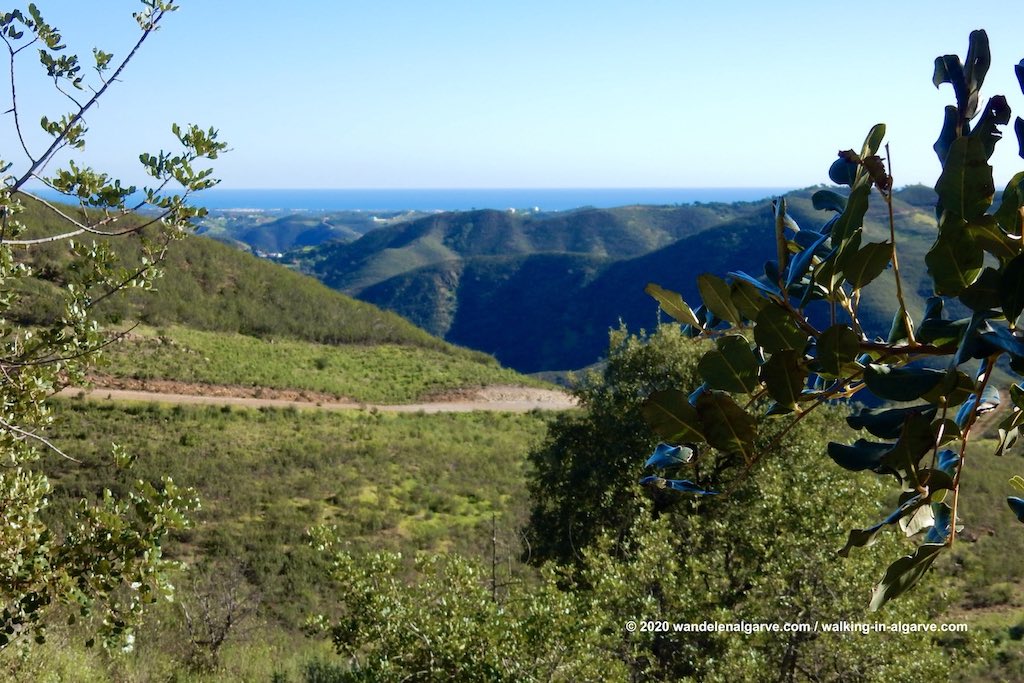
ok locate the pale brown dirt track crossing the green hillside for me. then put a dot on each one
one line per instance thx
(504, 399)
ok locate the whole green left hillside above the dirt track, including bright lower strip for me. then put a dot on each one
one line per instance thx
(220, 316)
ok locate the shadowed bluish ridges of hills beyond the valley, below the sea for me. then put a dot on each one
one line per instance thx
(541, 294)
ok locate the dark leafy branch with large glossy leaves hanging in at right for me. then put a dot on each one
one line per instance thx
(774, 356)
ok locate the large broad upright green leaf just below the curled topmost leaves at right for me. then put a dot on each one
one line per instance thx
(966, 187)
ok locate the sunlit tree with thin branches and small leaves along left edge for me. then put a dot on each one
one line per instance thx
(104, 563)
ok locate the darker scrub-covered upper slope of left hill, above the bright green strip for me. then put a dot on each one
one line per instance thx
(210, 286)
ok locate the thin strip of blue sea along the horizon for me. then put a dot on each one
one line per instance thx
(463, 200)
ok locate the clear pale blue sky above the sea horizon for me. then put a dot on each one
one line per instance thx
(567, 94)
